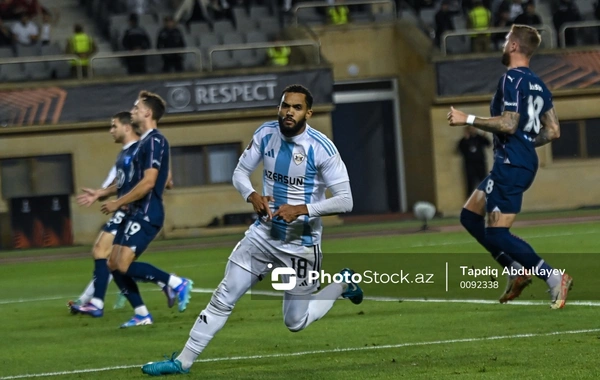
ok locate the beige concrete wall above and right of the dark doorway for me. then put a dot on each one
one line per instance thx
(392, 50)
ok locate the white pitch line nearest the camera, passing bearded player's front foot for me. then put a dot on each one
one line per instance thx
(315, 352)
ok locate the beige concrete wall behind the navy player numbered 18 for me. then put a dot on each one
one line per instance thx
(559, 184)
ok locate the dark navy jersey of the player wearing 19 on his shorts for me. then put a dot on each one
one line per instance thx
(152, 153)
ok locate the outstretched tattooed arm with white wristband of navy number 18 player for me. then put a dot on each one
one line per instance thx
(506, 123)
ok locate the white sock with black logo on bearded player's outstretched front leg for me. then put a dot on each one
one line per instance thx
(205, 328)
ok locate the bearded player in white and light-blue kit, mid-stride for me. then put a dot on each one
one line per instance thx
(300, 163)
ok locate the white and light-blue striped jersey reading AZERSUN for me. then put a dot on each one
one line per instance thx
(297, 170)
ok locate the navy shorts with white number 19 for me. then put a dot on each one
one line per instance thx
(136, 234)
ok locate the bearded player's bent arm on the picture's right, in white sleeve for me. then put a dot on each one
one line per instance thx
(335, 176)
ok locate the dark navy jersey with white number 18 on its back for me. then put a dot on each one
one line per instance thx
(521, 91)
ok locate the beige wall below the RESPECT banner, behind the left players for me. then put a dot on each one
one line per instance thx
(93, 153)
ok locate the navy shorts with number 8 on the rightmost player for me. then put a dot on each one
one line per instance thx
(504, 188)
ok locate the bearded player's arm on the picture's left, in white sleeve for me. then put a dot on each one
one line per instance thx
(248, 162)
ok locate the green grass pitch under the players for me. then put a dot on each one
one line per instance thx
(431, 333)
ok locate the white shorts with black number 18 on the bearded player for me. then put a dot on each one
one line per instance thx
(260, 256)
